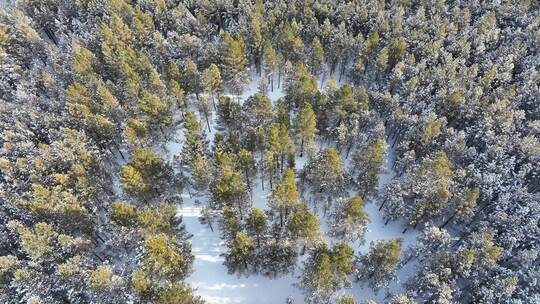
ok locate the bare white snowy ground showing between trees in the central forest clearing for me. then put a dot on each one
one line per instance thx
(210, 277)
